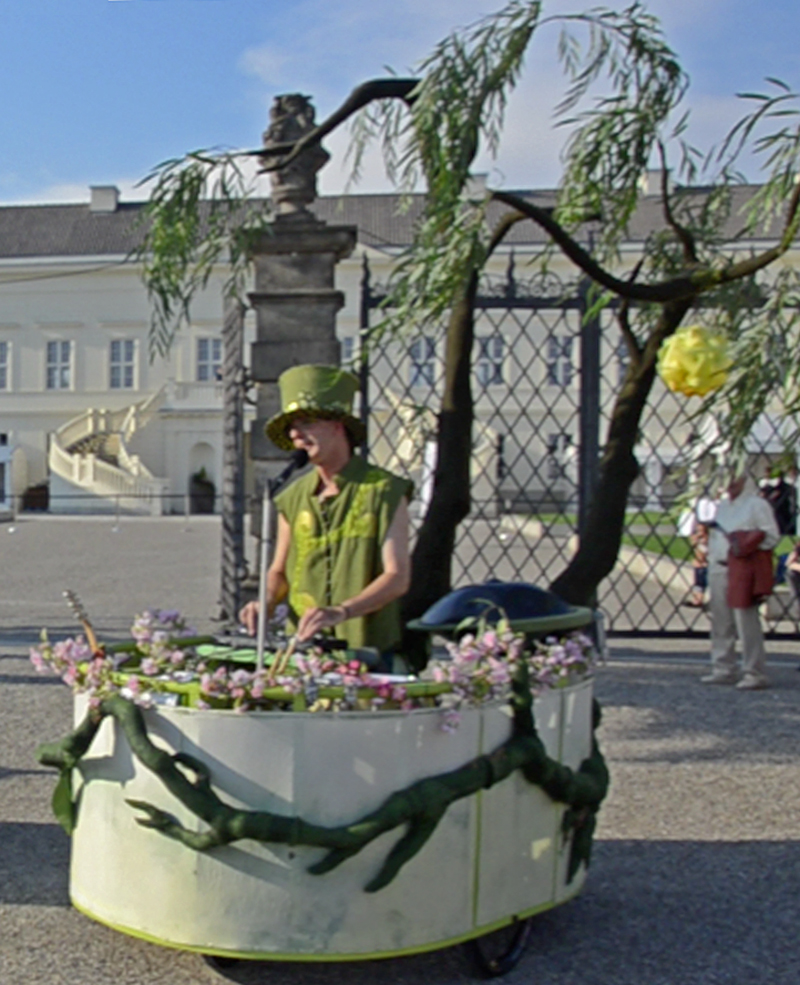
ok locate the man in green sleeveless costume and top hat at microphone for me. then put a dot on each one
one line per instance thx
(341, 552)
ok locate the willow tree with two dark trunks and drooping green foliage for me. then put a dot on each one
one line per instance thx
(432, 127)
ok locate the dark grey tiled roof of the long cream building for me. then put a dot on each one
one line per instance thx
(384, 222)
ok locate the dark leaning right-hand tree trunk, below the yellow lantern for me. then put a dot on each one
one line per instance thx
(605, 522)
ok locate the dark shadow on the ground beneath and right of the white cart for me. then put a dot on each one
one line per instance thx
(653, 913)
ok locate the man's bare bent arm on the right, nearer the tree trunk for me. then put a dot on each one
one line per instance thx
(393, 582)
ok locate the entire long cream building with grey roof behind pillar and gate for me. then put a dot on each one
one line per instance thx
(84, 410)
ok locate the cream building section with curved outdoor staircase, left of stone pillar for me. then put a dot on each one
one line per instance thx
(82, 407)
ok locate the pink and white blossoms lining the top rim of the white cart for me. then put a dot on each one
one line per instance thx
(157, 669)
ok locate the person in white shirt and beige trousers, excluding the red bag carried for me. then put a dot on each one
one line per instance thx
(743, 510)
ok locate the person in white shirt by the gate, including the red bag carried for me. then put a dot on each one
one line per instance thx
(741, 541)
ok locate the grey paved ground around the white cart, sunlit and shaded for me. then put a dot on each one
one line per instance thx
(697, 863)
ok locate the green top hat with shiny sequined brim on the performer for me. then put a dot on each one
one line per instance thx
(316, 393)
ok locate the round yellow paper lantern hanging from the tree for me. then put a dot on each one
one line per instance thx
(694, 361)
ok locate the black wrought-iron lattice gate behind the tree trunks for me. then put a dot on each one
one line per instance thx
(544, 379)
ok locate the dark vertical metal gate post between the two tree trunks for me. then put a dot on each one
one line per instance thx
(589, 415)
